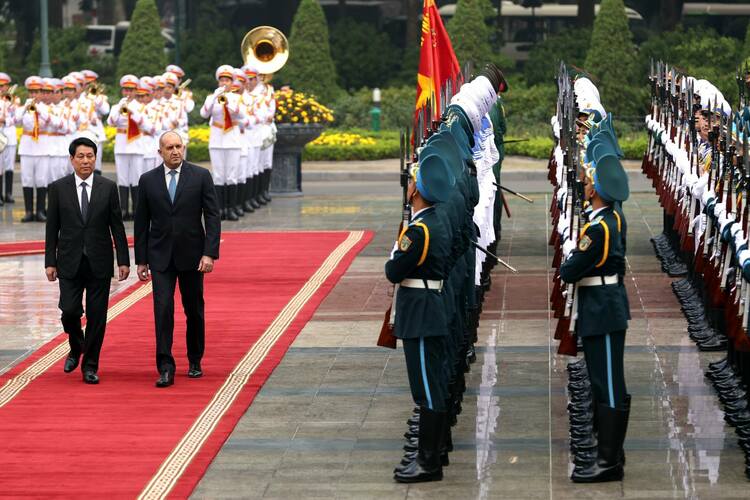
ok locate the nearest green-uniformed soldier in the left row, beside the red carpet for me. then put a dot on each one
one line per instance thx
(418, 266)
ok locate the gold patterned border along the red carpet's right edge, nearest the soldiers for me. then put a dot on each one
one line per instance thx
(175, 464)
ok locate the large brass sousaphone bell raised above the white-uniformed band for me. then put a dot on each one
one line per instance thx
(265, 48)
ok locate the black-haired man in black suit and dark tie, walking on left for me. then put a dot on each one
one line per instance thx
(82, 219)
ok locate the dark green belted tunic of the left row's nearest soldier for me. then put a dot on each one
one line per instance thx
(420, 312)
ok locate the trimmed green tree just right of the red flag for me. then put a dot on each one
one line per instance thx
(469, 32)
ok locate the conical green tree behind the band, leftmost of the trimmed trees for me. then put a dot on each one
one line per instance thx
(143, 47)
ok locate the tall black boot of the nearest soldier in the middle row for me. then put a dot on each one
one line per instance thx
(612, 426)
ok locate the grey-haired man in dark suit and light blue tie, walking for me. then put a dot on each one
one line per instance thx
(177, 246)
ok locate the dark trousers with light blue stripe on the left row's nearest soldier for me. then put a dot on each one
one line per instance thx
(425, 365)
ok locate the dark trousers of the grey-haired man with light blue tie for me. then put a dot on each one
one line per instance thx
(191, 289)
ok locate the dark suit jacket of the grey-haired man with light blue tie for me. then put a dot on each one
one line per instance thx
(168, 232)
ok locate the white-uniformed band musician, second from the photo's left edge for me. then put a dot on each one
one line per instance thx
(33, 149)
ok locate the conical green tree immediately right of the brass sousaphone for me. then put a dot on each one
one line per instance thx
(310, 67)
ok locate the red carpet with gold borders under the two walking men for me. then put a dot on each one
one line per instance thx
(125, 438)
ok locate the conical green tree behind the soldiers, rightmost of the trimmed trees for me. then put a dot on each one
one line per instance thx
(611, 59)
